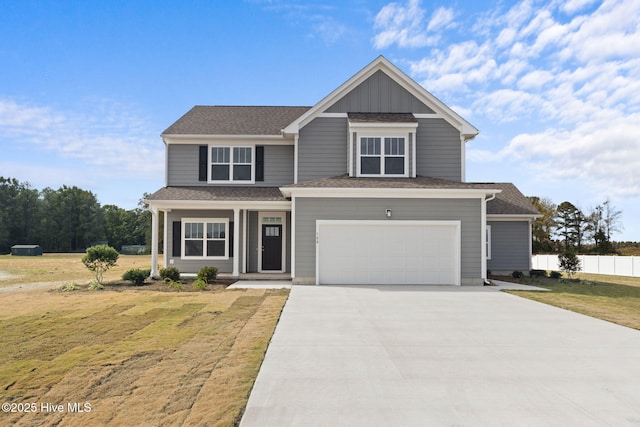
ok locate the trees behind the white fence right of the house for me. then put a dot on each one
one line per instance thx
(566, 228)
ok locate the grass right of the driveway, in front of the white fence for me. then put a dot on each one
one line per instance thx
(612, 298)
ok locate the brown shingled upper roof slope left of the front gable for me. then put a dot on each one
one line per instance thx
(235, 120)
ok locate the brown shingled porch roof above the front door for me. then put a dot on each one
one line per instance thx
(258, 194)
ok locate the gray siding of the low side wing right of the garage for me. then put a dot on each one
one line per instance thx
(509, 246)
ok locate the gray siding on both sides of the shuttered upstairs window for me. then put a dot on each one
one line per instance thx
(182, 168)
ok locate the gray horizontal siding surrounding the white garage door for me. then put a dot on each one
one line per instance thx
(467, 211)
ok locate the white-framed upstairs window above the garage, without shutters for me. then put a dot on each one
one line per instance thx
(382, 156)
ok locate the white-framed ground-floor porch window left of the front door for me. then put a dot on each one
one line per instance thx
(205, 238)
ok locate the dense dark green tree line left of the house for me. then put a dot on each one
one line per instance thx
(68, 219)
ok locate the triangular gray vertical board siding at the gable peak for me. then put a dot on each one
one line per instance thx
(379, 94)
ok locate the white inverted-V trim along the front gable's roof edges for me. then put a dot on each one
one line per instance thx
(384, 65)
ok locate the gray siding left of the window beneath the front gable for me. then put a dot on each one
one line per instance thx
(322, 149)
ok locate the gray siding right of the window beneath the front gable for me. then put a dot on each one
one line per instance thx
(438, 150)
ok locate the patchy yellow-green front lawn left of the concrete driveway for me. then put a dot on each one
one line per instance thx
(138, 358)
